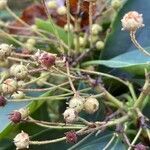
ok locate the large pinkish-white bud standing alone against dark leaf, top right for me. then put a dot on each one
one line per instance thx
(132, 21)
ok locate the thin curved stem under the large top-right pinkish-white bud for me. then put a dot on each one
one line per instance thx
(135, 42)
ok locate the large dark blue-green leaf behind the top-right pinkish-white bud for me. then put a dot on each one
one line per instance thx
(118, 42)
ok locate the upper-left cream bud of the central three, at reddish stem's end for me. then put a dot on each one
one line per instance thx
(76, 103)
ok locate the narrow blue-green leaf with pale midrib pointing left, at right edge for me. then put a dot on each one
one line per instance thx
(134, 62)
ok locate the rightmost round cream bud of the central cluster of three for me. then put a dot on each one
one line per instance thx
(91, 105)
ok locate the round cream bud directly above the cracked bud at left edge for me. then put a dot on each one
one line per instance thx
(19, 71)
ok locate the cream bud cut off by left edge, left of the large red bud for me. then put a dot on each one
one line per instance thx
(5, 51)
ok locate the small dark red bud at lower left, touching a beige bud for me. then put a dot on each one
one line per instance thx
(15, 117)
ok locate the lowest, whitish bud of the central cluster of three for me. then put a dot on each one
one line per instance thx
(70, 115)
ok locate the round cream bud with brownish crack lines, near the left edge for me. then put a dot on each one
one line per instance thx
(9, 86)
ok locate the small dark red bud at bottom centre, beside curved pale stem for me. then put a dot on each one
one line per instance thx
(71, 137)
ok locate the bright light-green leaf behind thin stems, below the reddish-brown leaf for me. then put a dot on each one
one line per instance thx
(54, 29)
